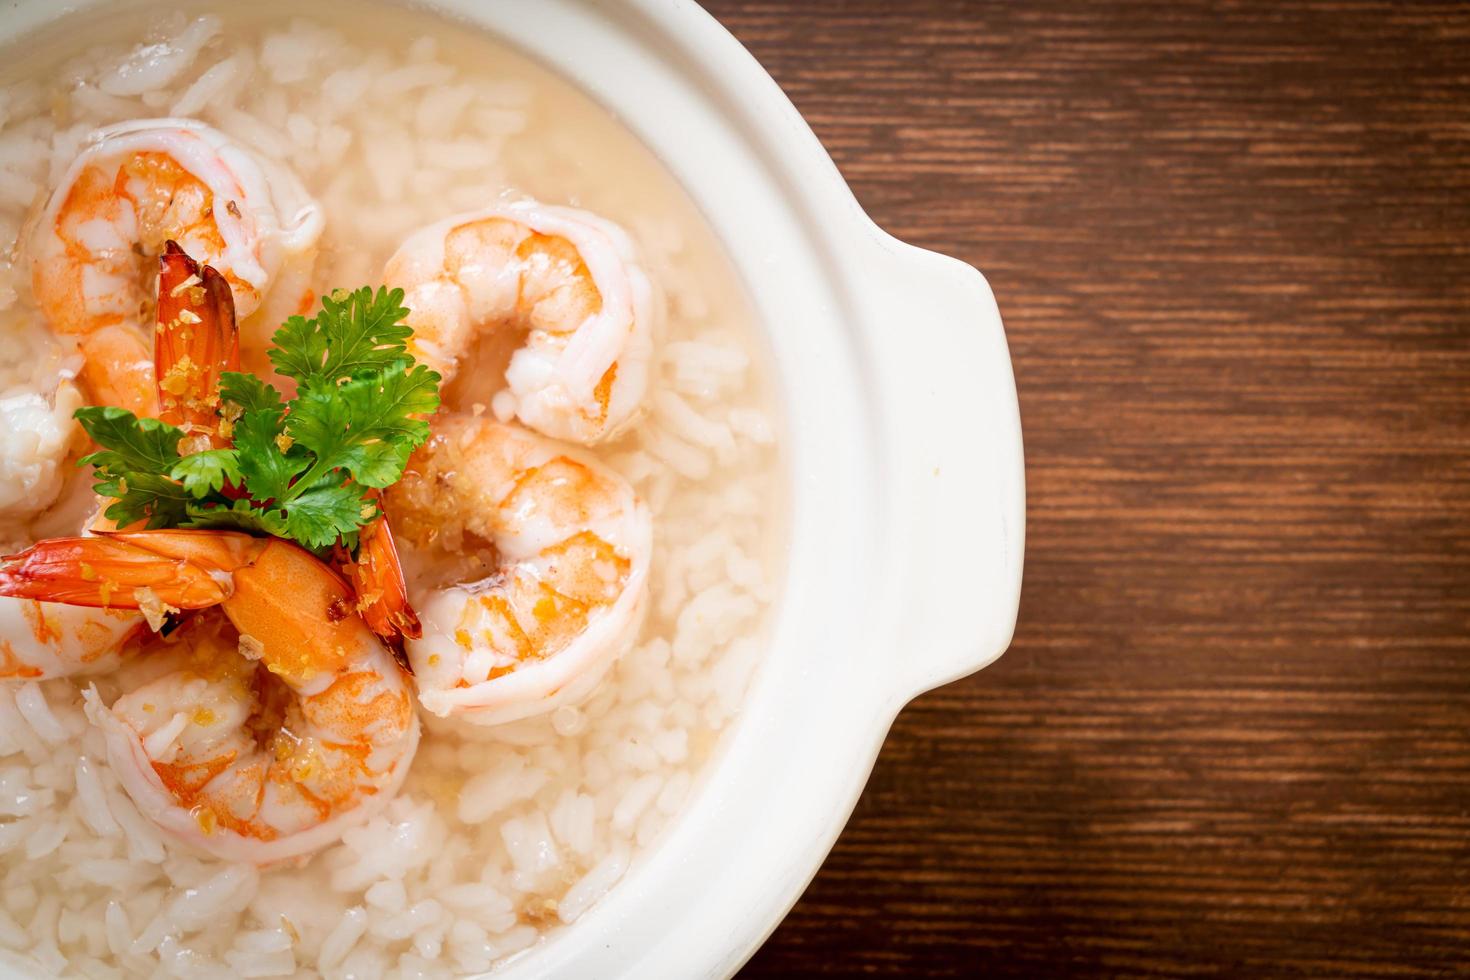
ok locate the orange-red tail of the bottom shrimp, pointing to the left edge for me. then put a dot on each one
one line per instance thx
(108, 572)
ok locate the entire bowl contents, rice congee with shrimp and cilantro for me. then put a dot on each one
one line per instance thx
(214, 756)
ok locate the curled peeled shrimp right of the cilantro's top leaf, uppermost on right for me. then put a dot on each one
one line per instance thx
(570, 280)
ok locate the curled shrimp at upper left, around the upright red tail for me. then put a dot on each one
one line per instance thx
(137, 184)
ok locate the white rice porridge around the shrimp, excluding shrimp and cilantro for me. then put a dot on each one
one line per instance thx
(501, 835)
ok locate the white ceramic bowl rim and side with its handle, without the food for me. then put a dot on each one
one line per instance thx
(903, 443)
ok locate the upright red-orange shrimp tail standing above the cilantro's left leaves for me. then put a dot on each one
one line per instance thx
(196, 342)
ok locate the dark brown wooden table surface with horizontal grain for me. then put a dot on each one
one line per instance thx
(1231, 243)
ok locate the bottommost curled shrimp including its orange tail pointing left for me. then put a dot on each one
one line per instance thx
(267, 731)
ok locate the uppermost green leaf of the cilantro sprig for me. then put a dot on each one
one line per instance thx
(355, 333)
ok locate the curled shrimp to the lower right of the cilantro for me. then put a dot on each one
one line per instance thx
(564, 583)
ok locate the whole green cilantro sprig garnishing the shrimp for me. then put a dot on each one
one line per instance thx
(305, 469)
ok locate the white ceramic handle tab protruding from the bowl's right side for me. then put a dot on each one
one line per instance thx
(950, 428)
